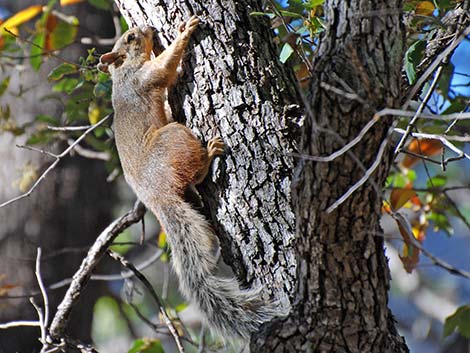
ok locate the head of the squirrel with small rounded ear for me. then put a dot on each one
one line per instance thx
(133, 48)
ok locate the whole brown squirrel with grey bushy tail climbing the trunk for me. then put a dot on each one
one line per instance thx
(160, 161)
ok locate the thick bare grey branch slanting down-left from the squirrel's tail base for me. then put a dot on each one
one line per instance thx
(81, 277)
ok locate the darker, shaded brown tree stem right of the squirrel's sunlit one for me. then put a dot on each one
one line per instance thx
(343, 283)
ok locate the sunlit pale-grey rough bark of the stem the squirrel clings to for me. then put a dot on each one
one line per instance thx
(233, 88)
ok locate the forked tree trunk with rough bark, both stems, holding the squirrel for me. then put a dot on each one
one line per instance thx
(333, 272)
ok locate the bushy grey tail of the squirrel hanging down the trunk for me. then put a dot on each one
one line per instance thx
(228, 309)
